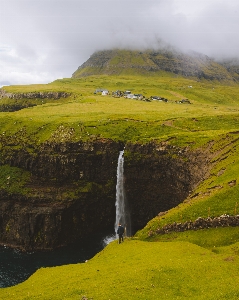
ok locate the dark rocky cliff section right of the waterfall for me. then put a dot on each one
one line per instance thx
(159, 177)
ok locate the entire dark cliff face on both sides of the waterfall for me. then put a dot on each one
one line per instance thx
(71, 191)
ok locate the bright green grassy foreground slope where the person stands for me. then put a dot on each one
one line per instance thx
(139, 270)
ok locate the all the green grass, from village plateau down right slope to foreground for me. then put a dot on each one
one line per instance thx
(190, 265)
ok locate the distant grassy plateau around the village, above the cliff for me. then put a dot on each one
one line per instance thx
(214, 110)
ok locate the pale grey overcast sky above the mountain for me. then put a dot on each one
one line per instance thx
(42, 40)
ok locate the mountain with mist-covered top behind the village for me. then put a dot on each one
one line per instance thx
(150, 62)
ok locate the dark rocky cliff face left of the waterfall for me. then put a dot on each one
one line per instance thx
(71, 193)
